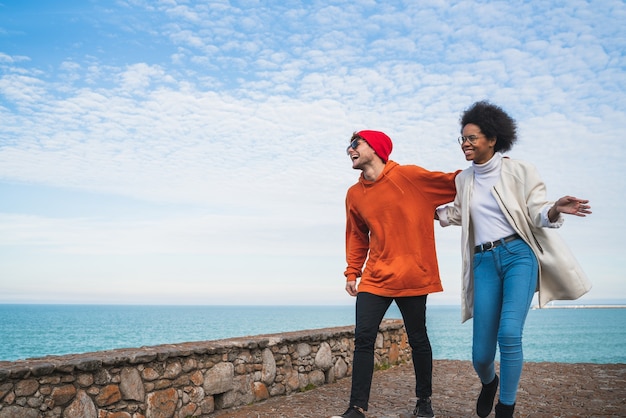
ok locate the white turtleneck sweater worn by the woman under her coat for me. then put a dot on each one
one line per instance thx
(488, 221)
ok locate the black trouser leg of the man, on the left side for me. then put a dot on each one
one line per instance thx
(370, 310)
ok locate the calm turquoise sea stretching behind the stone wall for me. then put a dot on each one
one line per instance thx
(564, 334)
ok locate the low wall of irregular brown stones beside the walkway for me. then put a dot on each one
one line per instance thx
(189, 379)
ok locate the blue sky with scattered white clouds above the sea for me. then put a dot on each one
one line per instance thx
(187, 152)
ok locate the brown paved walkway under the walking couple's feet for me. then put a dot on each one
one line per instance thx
(546, 390)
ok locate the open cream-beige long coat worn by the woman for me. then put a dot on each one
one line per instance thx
(521, 195)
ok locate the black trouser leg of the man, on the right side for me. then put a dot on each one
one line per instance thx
(413, 311)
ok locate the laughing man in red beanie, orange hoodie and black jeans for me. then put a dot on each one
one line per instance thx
(390, 246)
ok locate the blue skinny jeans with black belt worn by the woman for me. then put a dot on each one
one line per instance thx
(505, 279)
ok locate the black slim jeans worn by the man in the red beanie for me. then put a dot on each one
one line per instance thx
(370, 310)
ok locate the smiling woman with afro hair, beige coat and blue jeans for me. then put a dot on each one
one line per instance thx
(509, 249)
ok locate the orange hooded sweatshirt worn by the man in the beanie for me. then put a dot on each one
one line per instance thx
(390, 223)
